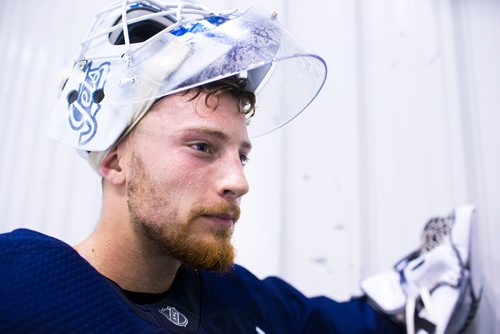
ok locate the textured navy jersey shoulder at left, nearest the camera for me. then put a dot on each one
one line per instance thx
(46, 287)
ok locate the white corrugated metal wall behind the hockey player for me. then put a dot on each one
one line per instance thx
(406, 128)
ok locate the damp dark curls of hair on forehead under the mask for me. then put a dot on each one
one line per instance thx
(233, 86)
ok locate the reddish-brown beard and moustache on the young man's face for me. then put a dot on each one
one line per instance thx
(208, 248)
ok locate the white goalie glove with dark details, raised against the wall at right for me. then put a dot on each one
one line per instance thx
(432, 286)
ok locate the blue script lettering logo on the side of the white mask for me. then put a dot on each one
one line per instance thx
(83, 110)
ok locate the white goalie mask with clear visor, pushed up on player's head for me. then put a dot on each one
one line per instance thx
(139, 51)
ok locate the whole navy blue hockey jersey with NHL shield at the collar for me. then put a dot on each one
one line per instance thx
(47, 287)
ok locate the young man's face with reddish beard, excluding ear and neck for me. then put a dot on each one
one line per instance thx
(185, 178)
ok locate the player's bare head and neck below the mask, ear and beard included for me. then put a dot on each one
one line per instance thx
(171, 193)
